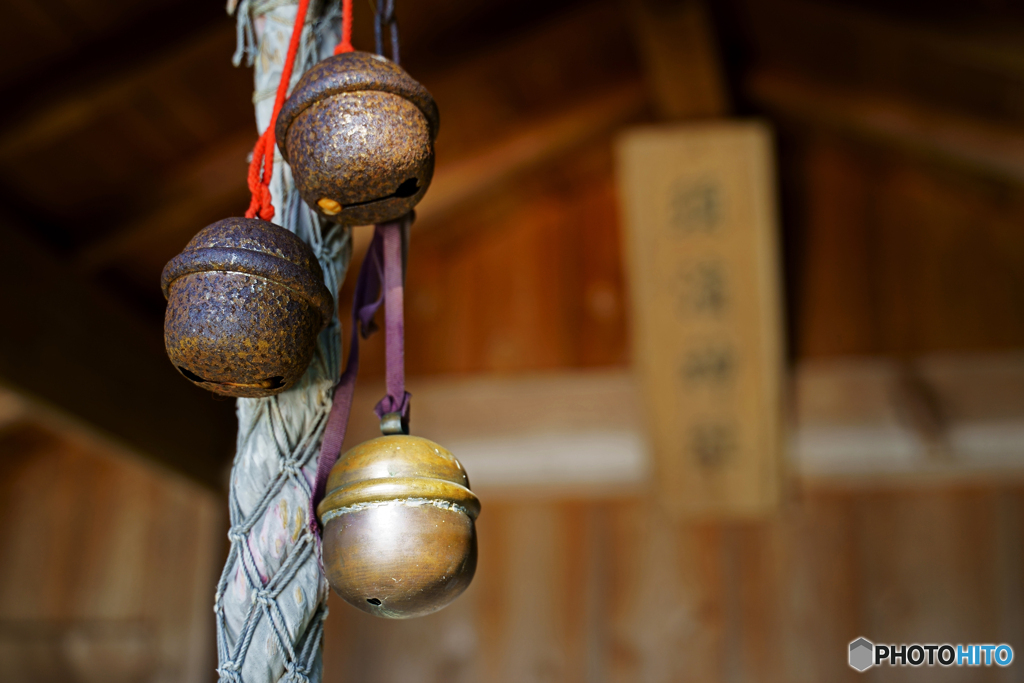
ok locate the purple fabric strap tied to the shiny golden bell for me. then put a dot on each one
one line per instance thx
(382, 276)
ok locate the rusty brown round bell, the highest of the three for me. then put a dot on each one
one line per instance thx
(359, 134)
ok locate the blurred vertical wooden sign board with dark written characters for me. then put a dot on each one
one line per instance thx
(699, 208)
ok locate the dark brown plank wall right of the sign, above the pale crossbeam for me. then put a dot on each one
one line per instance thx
(903, 257)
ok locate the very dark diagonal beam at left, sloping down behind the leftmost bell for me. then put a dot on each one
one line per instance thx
(68, 345)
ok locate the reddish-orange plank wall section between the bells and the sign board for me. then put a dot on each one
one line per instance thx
(529, 280)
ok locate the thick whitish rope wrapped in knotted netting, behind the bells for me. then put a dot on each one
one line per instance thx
(272, 599)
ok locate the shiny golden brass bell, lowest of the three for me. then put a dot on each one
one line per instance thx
(400, 538)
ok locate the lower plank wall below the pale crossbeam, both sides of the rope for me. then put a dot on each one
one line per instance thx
(108, 569)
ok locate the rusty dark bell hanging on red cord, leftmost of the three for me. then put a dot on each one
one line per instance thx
(246, 302)
